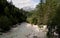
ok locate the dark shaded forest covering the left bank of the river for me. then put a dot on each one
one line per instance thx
(10, 15)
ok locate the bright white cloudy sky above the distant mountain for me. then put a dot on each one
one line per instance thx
(25, 3)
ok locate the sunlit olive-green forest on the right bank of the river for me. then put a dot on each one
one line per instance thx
(47, 13)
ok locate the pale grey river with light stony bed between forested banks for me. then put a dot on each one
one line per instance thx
(25, 30)
